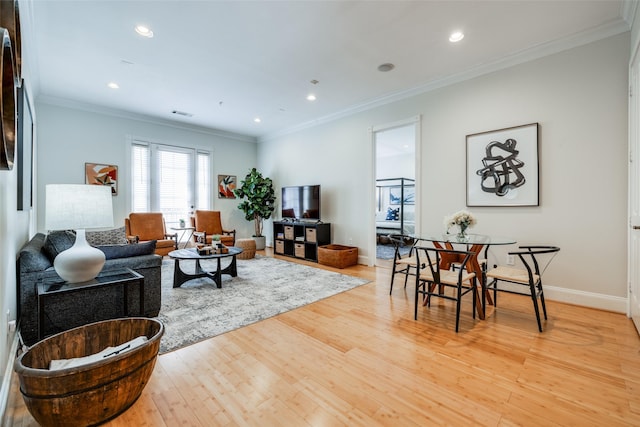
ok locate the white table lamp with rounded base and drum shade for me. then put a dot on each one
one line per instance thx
(78, 207)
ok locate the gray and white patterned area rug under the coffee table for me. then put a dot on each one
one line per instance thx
(263, 288)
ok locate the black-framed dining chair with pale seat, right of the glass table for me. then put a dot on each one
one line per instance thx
(529, 277)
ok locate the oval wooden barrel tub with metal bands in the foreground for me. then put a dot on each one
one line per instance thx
(96, 392)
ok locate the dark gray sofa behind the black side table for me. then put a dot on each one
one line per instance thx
(76, 309)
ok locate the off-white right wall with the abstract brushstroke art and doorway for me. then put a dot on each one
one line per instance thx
(578, 96)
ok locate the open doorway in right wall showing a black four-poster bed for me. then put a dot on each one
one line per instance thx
(396, 195)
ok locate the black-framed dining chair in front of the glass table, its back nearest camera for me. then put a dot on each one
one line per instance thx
(432, 281)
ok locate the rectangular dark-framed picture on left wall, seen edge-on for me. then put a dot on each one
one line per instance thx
(24, 155)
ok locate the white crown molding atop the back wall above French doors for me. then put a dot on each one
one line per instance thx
(67, 103)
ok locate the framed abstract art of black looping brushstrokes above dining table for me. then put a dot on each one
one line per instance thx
(502, 167)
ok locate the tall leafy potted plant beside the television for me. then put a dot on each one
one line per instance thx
(259, 201)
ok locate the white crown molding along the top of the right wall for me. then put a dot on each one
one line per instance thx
(610, 29)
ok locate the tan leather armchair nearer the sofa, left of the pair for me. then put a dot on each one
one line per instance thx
(145, 226)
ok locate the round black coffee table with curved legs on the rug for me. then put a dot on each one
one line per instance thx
(179, 276)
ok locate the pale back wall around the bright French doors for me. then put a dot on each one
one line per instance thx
(69, 137)
